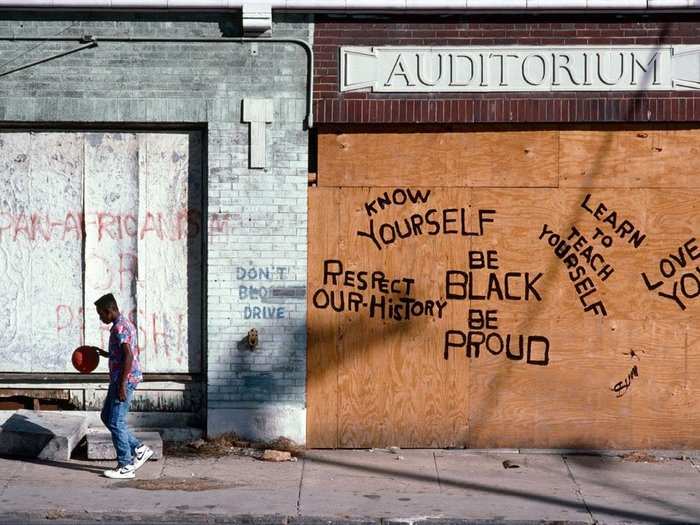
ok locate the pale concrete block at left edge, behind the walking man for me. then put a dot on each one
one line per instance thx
(43, 435)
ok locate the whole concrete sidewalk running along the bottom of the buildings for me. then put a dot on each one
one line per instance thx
(456, 486)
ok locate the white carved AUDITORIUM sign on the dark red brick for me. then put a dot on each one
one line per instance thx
(519, 68)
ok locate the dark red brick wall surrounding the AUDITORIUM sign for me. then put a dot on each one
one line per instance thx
(332, 107)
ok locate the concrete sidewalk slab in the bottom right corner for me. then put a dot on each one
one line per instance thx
(619, 491)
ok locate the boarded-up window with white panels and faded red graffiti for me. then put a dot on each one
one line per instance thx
(84, 214)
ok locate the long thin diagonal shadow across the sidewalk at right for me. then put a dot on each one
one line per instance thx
(499, 491)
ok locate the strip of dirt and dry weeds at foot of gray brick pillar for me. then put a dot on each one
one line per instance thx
(230, 445)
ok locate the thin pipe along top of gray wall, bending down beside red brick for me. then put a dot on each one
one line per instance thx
(92, 41)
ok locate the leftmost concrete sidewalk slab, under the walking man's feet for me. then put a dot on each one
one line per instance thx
(79, 488)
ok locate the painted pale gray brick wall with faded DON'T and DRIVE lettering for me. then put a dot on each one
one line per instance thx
(256, 253)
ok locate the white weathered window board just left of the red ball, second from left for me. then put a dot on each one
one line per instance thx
(56, 167)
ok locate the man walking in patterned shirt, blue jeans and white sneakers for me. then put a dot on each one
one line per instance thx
(124, 377)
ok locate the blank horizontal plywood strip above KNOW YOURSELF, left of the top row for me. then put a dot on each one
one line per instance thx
(454, 159)
